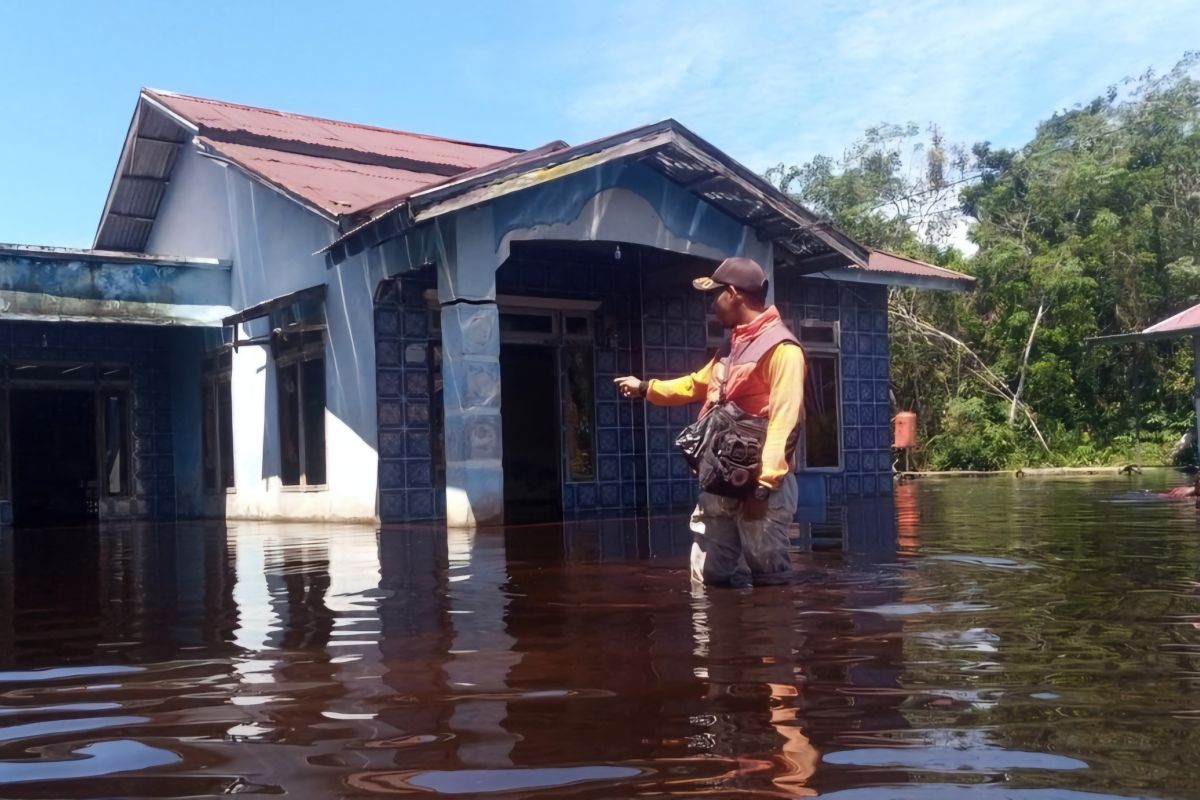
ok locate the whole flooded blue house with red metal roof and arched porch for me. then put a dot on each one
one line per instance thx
(286, 317)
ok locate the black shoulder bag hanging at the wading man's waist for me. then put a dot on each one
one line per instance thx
(725, 450)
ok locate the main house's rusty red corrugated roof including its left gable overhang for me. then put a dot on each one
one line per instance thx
(340, 170)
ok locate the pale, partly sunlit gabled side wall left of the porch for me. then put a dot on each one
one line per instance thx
(217, 210)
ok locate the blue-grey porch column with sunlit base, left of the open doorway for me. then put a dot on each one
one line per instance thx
(471, 376)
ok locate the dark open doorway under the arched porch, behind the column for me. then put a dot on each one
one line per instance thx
(532, 434)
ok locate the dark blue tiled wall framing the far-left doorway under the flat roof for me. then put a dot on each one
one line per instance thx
(147, 352)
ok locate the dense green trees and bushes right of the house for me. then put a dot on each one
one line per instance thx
(1096, 222)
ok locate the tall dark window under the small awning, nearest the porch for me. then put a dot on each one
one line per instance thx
(301, 388)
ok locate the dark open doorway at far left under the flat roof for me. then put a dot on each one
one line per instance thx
(53, 435)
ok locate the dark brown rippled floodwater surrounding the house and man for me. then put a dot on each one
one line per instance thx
(1035, 640)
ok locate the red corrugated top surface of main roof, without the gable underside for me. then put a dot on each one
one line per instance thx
(338, 167)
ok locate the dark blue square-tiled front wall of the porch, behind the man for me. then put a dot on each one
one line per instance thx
(662, 335)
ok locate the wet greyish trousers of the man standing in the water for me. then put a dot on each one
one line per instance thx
(729, 549)
